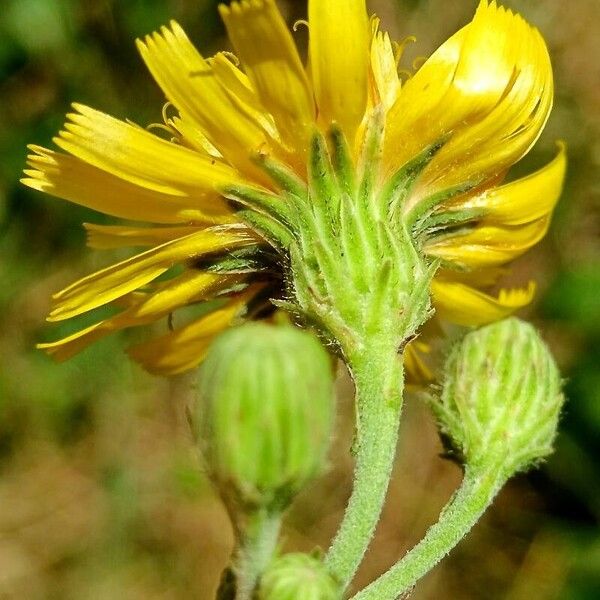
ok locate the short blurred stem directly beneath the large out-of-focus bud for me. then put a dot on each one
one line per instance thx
(257, 544)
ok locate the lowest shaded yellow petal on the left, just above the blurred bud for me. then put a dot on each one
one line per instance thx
(184, 348)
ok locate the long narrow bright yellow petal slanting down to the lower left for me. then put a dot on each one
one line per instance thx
(117, 280)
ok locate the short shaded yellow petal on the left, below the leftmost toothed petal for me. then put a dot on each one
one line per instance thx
(119, 236)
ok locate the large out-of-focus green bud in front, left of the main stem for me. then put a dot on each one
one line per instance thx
(266, 412)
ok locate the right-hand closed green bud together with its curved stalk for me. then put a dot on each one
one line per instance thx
(498, 408)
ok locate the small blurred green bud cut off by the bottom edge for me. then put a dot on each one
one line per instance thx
(298, 576)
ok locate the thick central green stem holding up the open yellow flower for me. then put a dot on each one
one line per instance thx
(378, 377)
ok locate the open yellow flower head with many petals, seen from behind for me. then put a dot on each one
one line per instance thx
(254, 135)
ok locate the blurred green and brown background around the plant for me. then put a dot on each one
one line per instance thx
(100, 491)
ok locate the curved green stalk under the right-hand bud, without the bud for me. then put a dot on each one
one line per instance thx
(476, 493)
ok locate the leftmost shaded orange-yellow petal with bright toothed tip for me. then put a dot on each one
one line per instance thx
(75, 180)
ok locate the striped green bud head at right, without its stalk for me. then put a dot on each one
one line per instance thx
(501, 397)
